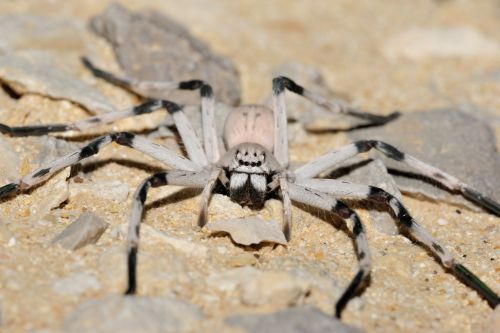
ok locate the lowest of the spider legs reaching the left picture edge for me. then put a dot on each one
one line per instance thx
(154, 150)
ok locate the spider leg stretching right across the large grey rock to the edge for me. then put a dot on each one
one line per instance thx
(329, 160)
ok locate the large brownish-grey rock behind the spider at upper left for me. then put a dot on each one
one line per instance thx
(150, 46)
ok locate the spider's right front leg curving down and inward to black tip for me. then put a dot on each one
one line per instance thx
(323, 201)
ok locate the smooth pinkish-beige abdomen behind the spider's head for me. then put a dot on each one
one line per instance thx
(250, 123)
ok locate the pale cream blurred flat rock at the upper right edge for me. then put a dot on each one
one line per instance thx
(425, 43)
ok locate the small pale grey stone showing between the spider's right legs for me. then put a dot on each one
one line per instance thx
(374, 172)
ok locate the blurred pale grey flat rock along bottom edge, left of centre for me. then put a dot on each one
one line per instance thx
(127, 314)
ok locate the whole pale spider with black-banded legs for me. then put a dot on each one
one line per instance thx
(254, 167)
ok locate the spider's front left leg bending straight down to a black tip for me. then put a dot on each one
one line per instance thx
(174, 177)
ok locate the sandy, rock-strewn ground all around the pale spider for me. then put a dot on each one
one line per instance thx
(62, 244)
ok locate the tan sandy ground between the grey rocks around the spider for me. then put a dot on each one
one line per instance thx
(347, 41)
